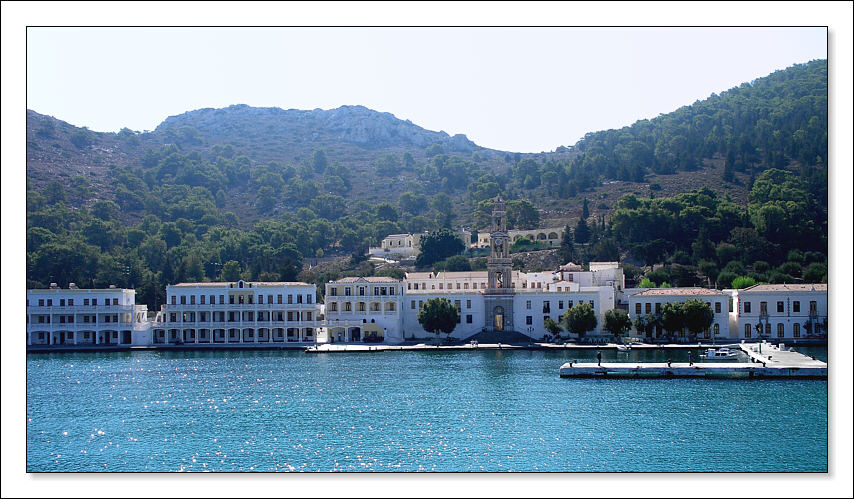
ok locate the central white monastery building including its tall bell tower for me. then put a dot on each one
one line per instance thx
(496, 300)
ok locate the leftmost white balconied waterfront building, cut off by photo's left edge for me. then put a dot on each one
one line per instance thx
(102, 317)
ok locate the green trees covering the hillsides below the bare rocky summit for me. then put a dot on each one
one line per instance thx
(180, 212)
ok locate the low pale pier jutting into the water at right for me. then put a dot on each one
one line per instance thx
(767, 361)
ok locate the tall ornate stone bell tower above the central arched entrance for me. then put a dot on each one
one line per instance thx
(498, 297)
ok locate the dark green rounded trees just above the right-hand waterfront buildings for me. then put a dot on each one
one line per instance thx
(708, 240)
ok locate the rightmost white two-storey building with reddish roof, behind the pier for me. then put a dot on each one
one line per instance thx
(783, 312)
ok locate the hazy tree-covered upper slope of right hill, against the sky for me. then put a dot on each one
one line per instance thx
(766, 123)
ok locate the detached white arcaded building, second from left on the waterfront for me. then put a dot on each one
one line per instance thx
(238, 313)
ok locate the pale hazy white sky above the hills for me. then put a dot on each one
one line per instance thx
(516, 89)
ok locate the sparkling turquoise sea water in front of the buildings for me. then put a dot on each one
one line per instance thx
(408, 411)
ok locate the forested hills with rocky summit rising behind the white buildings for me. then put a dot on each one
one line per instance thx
(265, 187)
